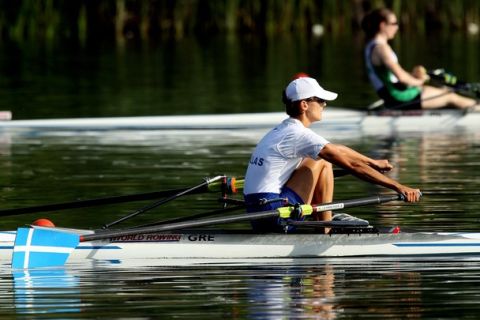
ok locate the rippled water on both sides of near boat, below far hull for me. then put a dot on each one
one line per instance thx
(51, 167)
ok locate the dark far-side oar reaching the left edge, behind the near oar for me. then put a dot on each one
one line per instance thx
(212, 186)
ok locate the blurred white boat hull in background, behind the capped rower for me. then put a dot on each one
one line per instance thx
(333, 119)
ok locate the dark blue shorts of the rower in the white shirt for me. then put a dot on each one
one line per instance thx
(253, 200)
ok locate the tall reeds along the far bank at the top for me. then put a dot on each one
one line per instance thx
(125, 19)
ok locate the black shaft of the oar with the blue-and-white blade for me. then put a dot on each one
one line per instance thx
(232, 219)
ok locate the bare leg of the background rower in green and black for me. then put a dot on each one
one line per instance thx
(433, 97)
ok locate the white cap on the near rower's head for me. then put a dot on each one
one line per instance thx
(304, 88)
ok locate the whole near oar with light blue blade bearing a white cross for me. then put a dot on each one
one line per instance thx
(40, 247)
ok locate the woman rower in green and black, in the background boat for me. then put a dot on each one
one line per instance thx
(398, 88)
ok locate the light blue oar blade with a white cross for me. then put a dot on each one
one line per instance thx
(42, 247)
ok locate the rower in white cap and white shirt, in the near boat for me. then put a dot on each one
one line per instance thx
(293, 162)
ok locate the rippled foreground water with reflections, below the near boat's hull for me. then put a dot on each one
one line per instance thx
(258, 289)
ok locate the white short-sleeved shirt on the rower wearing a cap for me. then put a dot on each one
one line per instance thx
(278, 154)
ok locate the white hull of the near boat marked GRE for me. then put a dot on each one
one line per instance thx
(214, 245)
